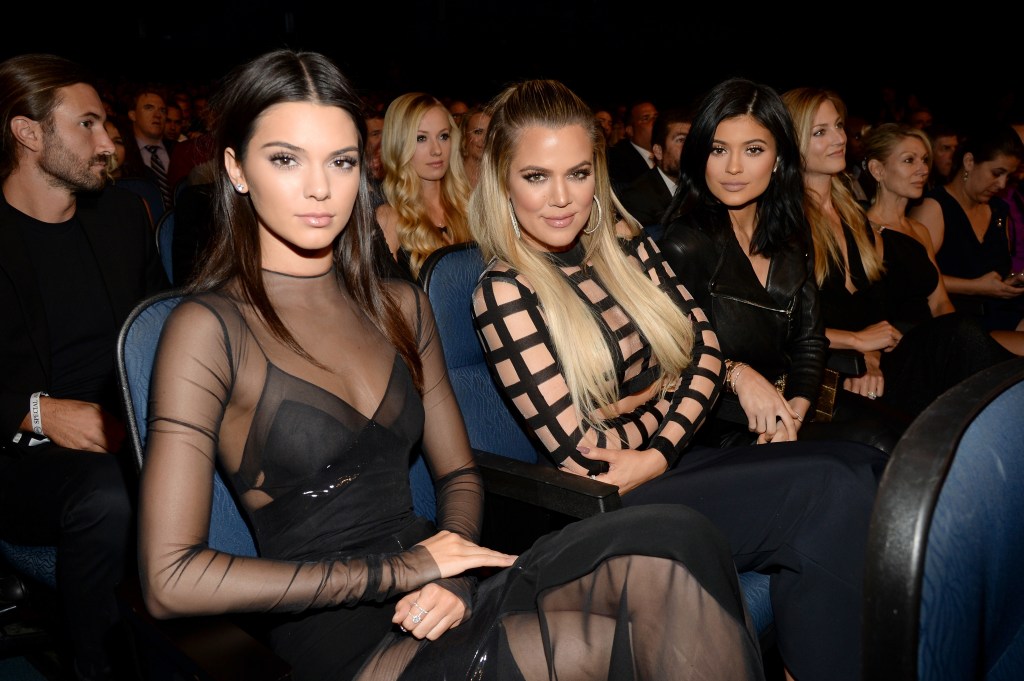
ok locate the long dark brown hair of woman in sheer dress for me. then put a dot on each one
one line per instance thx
(234, 253)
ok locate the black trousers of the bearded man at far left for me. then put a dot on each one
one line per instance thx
(78, 502)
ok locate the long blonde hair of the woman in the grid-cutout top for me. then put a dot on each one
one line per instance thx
(585, 359)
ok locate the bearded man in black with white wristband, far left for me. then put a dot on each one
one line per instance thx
(76, 259)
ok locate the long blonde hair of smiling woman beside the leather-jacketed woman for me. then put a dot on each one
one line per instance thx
(803, 104)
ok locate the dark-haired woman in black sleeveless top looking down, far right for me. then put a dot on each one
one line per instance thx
(968, 228)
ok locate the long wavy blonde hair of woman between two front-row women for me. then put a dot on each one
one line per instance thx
(417, 234)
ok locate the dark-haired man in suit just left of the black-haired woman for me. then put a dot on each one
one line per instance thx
(648, 197)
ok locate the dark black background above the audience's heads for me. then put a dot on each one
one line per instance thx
(610, 53)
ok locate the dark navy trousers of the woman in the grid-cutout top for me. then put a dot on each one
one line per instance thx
(799, 512)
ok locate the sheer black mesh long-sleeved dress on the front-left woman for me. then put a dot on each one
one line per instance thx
(320, 459)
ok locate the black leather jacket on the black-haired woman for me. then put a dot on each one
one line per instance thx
(778, 329)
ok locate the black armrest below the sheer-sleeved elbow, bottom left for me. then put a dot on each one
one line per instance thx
(205, 649)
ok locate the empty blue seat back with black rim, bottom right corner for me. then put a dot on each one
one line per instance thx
(944, 600)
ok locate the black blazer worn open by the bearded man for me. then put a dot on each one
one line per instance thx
(117, 228)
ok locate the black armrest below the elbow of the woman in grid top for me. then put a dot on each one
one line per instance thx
(545, 487)
